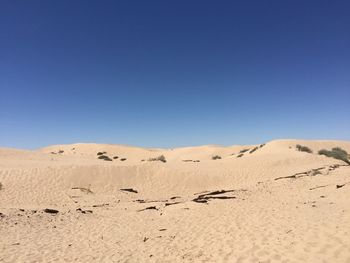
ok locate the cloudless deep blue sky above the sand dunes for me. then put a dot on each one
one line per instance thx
(173, 73)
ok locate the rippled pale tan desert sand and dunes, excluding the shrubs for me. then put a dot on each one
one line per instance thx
(301, 219)
